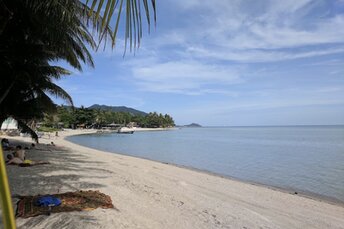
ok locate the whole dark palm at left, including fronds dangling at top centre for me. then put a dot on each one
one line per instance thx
(34, 33)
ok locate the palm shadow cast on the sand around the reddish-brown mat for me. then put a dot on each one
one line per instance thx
(68, 171)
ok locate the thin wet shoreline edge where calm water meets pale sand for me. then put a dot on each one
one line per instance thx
(291, 191)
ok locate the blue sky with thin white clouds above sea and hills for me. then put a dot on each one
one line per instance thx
(227, 63)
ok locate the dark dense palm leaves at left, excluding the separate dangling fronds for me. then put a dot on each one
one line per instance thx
(37, 33)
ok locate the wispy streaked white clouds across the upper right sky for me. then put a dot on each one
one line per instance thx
(255, 31)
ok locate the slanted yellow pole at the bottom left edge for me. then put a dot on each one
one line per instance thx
(5, 196)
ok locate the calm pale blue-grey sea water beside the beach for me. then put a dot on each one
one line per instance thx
(307, 159)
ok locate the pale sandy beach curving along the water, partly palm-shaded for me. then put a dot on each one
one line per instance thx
(148, 194)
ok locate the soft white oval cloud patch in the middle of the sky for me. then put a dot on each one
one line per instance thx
(184, 77)
